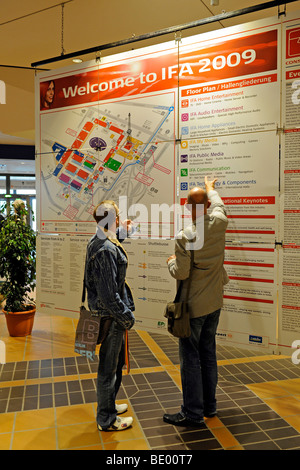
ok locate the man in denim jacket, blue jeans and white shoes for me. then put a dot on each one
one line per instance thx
(109, 296)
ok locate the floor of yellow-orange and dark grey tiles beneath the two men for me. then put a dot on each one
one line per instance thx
(47, 396)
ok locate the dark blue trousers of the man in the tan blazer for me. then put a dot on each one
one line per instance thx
(198, 367)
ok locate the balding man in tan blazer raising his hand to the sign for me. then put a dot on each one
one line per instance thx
(198, 364)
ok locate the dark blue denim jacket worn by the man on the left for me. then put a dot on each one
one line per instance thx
(107, 291)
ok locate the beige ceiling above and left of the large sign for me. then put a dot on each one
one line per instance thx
(34, 30)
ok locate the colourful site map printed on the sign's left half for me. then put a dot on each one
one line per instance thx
(105, 151)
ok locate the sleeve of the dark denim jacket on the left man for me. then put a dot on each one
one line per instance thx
(105, 271)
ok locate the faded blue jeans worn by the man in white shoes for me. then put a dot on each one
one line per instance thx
(111, 361)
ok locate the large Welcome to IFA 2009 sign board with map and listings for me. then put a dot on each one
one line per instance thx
(146, 126)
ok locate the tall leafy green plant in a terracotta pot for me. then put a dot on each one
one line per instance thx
(18, 270)
